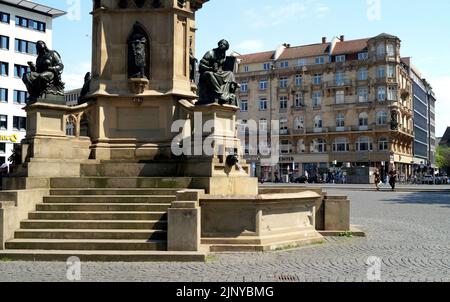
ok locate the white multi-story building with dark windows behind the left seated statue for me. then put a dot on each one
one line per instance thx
(22, 24)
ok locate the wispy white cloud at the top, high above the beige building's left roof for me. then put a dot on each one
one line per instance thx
(285, 11)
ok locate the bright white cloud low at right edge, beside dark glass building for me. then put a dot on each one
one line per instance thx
(441, 87)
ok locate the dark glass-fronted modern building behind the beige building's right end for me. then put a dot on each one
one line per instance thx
(424, 101)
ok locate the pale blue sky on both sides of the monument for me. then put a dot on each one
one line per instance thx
(258, 25)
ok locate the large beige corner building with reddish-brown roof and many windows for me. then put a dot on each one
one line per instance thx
(339, 104)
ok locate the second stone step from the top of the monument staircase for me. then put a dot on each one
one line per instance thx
(114, 191)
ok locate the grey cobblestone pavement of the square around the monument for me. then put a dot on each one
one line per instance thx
(408, 232)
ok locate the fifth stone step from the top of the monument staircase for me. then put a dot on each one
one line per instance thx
(65, 215)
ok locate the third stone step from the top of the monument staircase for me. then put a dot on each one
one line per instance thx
(110, 199)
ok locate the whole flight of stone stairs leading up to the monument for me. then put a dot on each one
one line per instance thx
(100, 219)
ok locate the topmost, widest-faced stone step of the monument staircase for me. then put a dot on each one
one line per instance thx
(122, 182)
